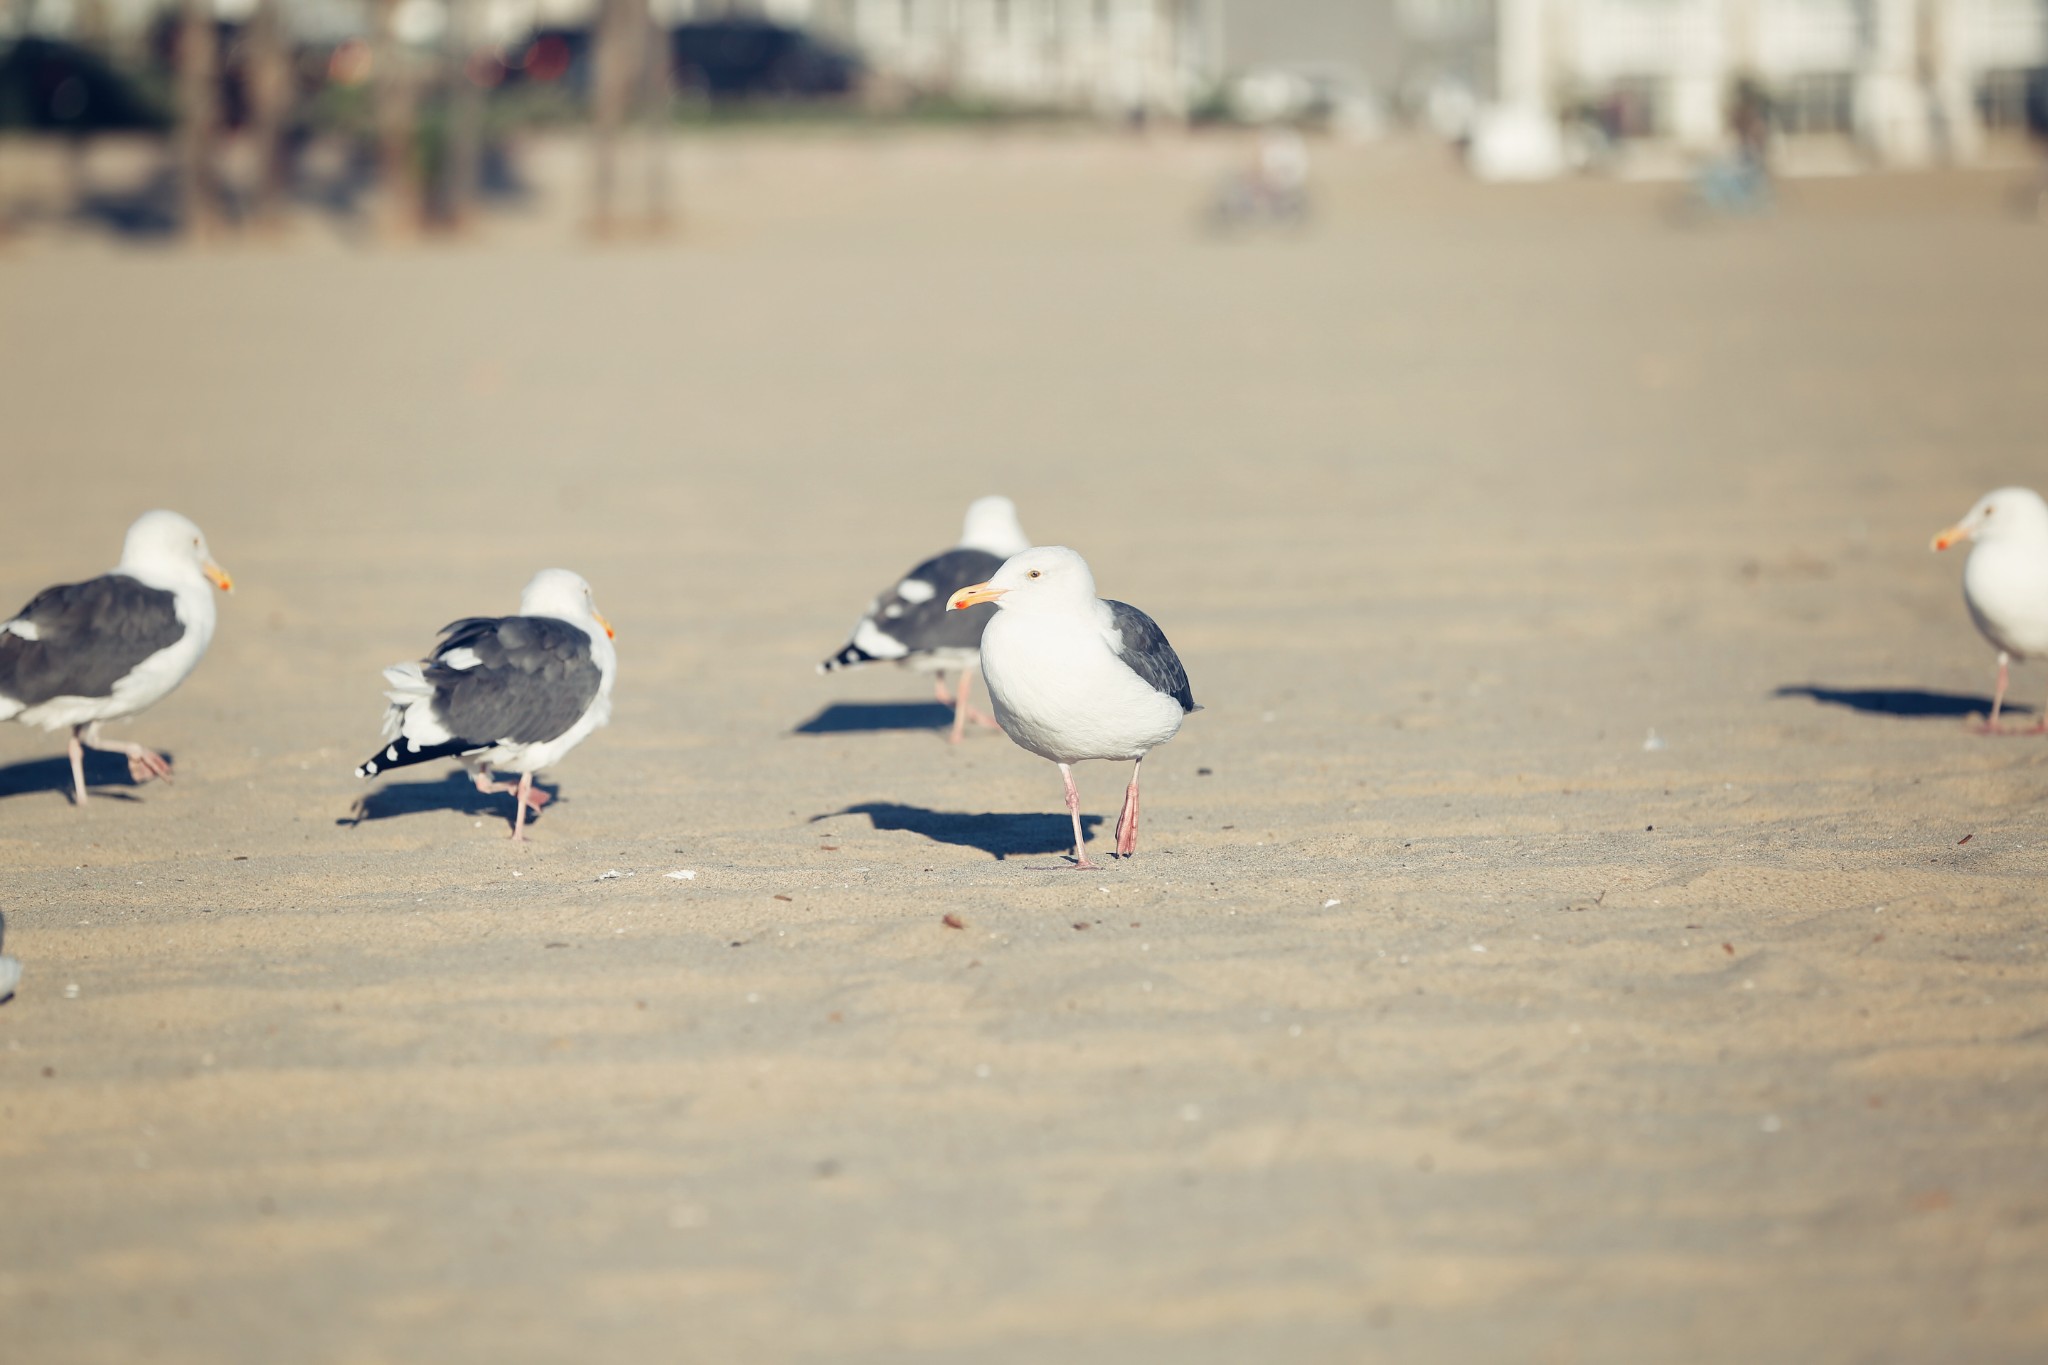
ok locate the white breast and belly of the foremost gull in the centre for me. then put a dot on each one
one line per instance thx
(1062, 693)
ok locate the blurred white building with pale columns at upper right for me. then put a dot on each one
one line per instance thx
(1910, 81)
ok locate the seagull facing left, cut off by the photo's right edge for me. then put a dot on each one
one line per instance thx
(2006, 582)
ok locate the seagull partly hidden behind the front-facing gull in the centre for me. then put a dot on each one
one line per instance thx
(910, 625)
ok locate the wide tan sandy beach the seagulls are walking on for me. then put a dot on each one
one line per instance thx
(1578, 928)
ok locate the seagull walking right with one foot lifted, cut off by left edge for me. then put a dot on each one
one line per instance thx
(116, 646)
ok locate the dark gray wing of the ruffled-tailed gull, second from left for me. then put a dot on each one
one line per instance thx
(534, 678)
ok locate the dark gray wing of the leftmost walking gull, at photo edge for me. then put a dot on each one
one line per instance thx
(87, 637)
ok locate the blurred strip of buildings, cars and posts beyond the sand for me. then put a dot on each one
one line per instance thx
(388, 120)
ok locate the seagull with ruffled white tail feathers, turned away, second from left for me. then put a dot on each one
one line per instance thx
(511, 693)
